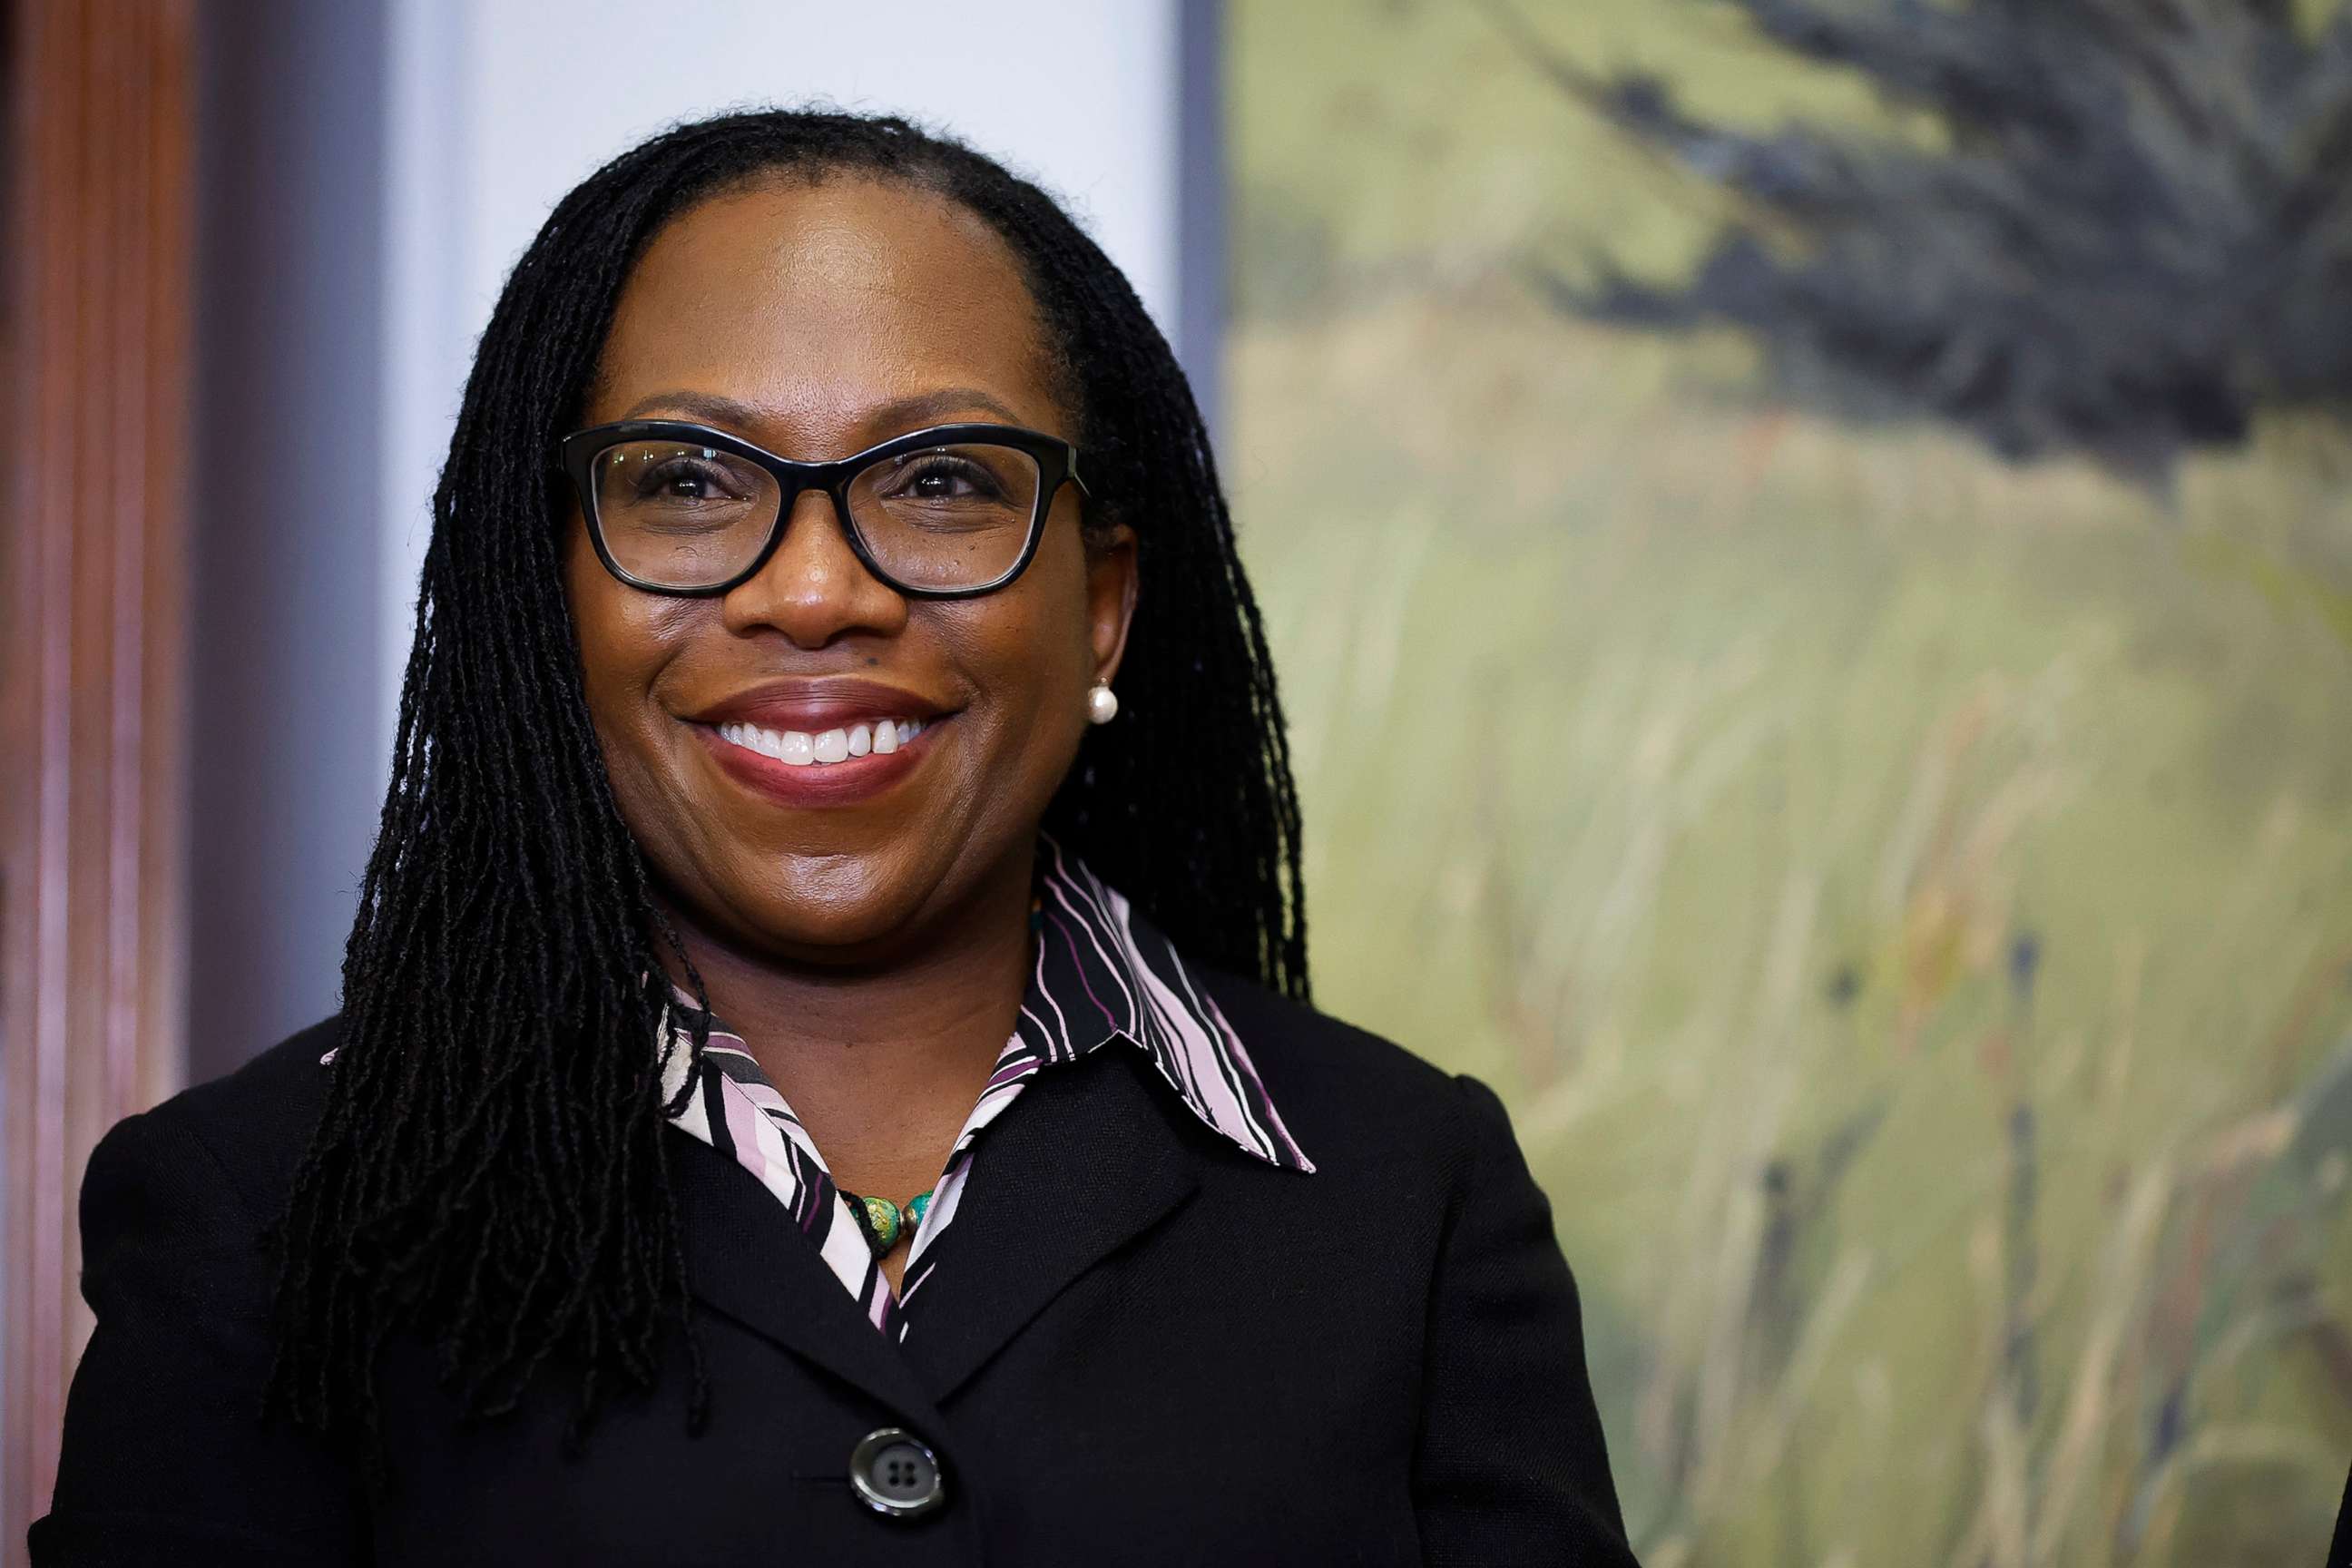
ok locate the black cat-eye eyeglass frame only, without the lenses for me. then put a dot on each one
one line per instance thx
(1055, 457)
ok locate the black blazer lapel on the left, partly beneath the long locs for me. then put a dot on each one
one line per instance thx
(747, 1261)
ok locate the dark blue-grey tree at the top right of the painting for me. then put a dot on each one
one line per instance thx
(2104, 227)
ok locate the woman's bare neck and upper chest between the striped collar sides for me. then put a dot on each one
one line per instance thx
(883, 1061)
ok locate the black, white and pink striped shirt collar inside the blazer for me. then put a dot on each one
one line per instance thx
(1102, 974)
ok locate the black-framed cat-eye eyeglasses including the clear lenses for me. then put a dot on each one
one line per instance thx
(942, 514)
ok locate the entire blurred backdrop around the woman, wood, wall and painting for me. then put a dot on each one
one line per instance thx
(1808, 547)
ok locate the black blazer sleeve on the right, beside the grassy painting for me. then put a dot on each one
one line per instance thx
(1511, 1463)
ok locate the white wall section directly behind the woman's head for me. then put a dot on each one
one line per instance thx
(497, 107)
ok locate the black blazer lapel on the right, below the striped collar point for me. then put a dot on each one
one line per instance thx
(1085, 1162)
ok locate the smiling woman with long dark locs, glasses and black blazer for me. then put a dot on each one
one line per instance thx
(761, 1130)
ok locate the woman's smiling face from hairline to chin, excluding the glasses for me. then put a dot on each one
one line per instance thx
(820, 321)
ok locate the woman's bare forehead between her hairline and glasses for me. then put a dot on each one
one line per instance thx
(822, 304)
